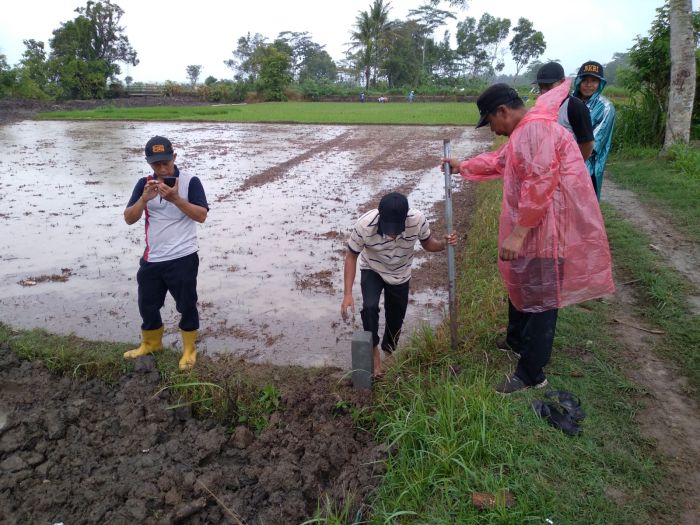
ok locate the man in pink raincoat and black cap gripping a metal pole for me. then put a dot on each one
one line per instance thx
(552, 246)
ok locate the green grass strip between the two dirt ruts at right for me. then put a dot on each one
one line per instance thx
(662, 296)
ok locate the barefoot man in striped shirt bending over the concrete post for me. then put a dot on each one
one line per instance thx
(384, 239)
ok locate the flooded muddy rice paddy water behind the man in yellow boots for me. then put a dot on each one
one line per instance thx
(282, 201)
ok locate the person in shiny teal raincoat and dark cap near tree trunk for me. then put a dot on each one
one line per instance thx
(588, 86)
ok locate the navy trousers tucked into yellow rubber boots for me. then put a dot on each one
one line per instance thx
(179, 277)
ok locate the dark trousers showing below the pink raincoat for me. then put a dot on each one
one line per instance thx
(531, 335)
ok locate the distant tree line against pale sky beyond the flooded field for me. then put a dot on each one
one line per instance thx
(84, 57)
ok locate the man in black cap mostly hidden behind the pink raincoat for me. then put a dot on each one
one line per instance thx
(573, 112)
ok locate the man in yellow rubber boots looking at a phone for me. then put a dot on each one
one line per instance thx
(173, 202)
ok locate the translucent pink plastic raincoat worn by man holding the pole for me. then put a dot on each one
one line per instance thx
(565, 258)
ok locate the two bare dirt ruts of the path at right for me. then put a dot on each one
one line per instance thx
(670, 417)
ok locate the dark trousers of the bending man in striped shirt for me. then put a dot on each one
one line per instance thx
(395, 303)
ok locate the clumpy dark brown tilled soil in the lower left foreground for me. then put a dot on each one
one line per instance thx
(89, 452)
